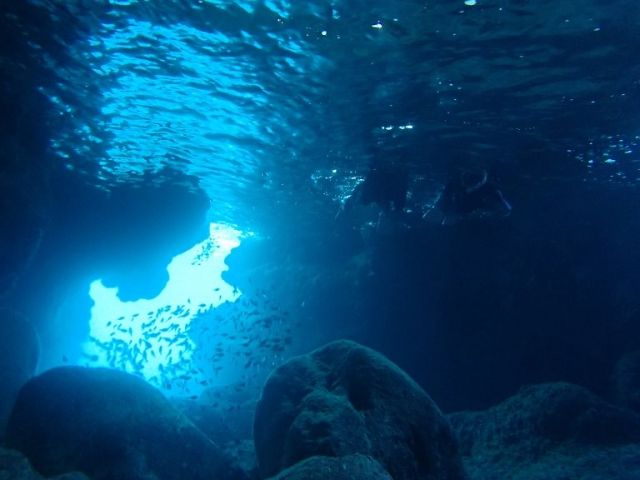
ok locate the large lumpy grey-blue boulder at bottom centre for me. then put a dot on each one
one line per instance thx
(345, 399)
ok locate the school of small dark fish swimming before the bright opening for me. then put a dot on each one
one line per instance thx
(248, 337)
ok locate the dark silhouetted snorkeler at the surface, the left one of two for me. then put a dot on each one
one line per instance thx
(385, 184)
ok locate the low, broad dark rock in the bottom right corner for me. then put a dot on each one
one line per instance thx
(550, 431)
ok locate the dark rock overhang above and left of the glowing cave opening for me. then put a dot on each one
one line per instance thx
(125, 237)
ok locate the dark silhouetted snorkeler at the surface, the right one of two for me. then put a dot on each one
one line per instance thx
(471, 194)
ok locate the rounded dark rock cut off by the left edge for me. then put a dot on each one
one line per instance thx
(19, 351)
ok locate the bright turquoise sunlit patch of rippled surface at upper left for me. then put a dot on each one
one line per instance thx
(179, 102)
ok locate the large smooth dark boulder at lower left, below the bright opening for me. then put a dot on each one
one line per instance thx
(109, 424)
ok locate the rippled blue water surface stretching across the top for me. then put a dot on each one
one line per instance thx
(257, 99)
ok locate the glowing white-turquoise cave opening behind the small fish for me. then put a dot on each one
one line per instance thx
(150, 337)
